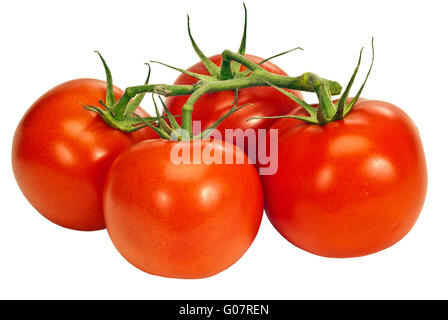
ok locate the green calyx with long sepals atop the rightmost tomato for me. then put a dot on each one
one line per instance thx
(327, 110)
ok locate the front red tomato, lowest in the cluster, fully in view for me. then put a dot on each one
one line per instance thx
(181, 220)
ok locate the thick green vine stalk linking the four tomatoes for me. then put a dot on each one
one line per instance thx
(123, 108)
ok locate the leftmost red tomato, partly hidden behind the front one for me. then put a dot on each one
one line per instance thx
(61, 153)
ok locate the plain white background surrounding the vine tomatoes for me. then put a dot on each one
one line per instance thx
(45, 43)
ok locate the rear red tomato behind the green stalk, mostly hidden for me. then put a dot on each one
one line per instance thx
(264, 101)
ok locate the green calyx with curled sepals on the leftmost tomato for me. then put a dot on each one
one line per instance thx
(115, 116)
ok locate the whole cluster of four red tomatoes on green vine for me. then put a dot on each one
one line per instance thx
(350, 179)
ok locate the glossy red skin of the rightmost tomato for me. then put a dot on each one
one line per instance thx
(351, 187)
